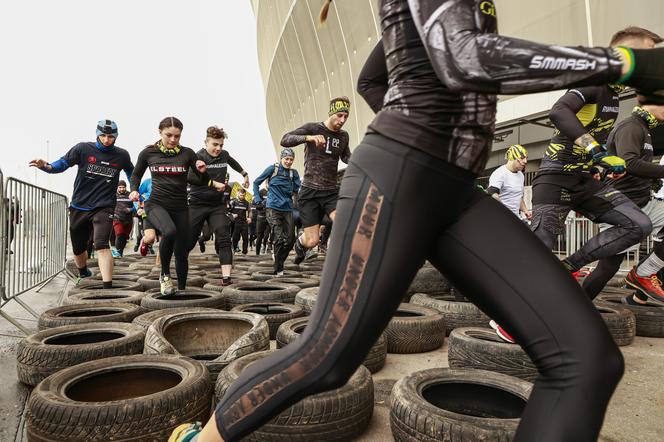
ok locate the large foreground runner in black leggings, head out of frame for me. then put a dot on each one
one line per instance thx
(435, 132)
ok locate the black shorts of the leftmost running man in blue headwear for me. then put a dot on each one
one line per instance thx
(97, 221)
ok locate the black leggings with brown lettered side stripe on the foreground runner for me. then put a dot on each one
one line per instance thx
(485, 252)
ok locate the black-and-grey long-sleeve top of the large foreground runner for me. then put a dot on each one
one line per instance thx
(440, 97)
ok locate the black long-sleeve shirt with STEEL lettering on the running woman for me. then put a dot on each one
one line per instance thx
(169, 175)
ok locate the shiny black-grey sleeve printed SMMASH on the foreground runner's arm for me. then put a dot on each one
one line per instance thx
(468, 55)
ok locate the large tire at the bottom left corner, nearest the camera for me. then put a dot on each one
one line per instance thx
(159, 393)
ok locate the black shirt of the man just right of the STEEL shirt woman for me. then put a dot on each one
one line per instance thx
(202, 194)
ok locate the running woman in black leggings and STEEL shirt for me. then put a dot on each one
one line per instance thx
(167, 211)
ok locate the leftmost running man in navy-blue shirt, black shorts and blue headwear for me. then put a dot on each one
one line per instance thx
(94, 198)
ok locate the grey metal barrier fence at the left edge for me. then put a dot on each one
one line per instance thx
(34, 240)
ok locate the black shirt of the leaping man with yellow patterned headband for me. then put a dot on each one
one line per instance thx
(320, 165)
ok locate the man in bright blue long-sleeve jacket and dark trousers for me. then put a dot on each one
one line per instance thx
(283, 184)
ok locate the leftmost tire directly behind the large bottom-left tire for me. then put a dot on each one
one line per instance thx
(49, 351)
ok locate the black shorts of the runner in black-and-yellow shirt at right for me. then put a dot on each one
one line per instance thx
(555, 194)
